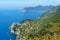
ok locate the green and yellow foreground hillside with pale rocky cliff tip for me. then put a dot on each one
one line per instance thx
(47, 27)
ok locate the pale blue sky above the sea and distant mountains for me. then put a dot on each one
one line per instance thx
(17, 4)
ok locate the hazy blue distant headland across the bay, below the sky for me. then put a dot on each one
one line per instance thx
(37, 8)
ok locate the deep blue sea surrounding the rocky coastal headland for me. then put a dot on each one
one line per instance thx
(7, 17)
